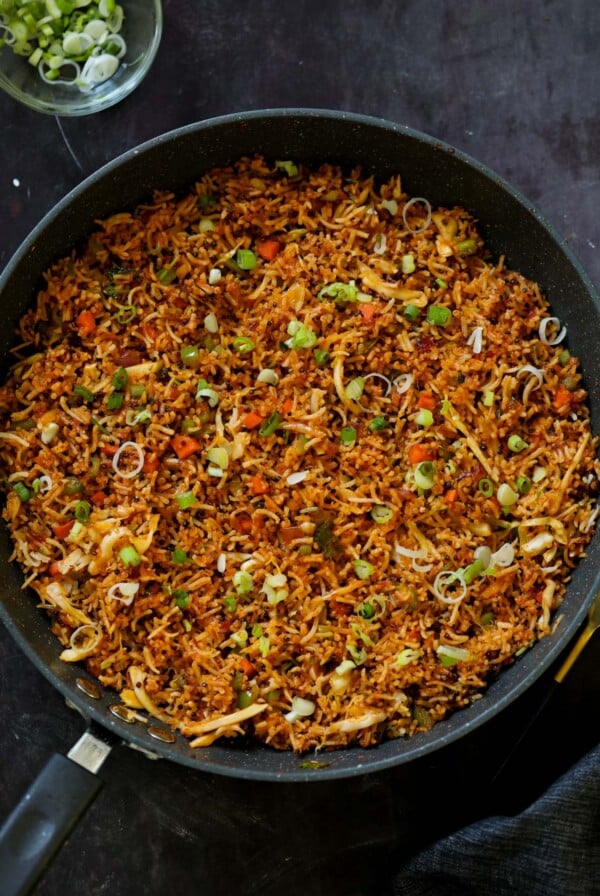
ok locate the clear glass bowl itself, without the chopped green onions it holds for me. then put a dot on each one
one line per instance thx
(141, 30)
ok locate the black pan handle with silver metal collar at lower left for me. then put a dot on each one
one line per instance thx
(45, 816)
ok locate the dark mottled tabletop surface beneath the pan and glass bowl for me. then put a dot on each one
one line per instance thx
(514, 84)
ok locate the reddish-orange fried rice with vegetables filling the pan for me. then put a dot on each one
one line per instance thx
(293, 456)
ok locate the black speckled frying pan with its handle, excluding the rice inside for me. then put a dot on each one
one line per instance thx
(509, 225)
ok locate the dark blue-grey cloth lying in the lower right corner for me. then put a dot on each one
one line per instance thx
(550, 849)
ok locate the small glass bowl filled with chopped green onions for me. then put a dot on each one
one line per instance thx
(75, 57)
